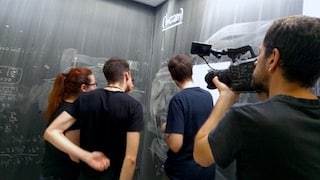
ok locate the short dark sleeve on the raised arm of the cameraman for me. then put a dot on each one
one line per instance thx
(226, 140)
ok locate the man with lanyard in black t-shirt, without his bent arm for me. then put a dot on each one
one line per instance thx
(109, 121)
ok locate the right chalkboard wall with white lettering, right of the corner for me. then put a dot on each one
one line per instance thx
(221, 23)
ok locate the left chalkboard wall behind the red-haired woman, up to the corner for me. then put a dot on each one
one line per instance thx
(38, 39)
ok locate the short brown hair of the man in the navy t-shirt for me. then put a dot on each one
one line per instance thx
(180, 67)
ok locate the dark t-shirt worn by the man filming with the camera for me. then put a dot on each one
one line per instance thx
(275, 139)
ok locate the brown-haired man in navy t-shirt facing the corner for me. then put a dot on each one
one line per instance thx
(188, 110)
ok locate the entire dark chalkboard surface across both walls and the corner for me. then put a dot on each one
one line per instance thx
(39, 38)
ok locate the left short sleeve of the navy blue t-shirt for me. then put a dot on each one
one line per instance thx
(175, 117)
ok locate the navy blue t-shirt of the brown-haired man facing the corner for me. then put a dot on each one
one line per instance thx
(195, 105)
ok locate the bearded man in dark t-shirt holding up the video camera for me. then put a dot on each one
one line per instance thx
(278, 138)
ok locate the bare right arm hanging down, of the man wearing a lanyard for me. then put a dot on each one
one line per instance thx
(129, 163)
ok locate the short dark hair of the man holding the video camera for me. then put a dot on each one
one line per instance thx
(298, 40)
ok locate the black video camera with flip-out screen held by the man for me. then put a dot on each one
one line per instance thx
(238, 76)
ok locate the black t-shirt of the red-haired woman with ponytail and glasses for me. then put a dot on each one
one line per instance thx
(56, 163)
